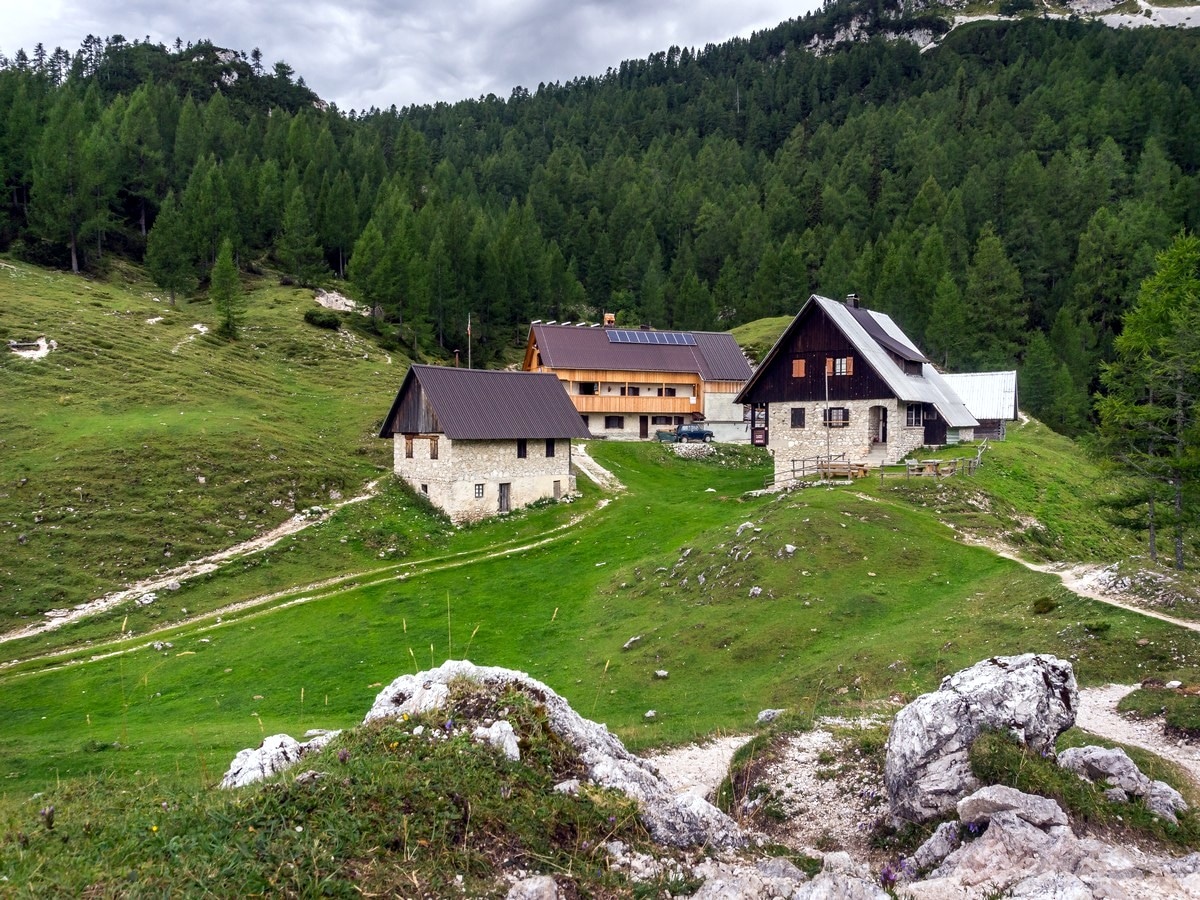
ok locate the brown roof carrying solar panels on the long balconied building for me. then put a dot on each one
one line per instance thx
(716, 356)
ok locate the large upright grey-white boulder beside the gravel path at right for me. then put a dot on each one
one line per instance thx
(1033, 697)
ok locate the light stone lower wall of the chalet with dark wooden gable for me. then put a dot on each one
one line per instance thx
(855, 441)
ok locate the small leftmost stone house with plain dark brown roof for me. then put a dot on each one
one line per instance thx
(481, 442)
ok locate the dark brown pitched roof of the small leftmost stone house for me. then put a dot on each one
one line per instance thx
(483, 405)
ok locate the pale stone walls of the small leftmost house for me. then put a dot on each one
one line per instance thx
(465, 479)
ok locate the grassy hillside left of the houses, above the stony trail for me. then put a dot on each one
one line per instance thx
(141, 442)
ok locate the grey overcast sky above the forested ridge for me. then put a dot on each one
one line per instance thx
(363, 53)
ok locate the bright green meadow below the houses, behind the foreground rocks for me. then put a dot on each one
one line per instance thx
(878, 601)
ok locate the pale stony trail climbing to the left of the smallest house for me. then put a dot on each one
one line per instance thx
(164, 581)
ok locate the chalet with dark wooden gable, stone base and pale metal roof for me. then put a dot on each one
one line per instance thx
(845, 382)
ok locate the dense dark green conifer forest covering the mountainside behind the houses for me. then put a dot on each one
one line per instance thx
(1003, 195)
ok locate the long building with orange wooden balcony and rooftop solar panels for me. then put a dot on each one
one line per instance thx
(628, 383)
